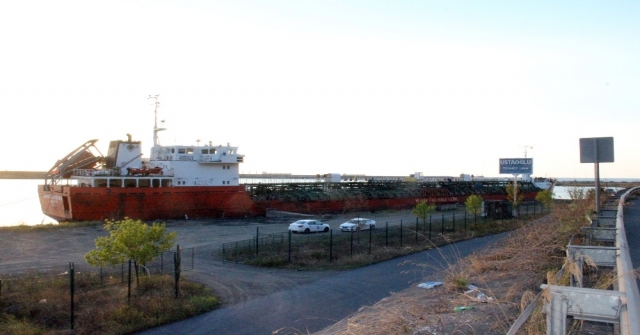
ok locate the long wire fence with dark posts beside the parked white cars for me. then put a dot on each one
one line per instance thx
(434, 230)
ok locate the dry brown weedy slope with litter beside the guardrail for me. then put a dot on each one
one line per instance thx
(507, 276)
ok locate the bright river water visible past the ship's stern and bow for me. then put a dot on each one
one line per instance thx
(19, 204)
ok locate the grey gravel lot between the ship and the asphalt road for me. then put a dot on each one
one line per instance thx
(53, 249)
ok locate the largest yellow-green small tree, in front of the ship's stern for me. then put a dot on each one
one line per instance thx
(130, 240)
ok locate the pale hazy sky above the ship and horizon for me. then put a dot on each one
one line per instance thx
(306, 87)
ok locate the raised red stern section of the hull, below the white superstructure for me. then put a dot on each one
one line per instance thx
(65, 203)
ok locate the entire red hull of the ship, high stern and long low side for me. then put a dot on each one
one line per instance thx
(73, 203)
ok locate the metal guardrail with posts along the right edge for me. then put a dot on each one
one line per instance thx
(621, 306)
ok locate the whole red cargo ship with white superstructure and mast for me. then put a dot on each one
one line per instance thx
(178, 182)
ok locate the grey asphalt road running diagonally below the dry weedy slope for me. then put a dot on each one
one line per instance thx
(320, 304)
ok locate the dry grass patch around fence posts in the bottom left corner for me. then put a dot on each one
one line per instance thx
(40, 304)
